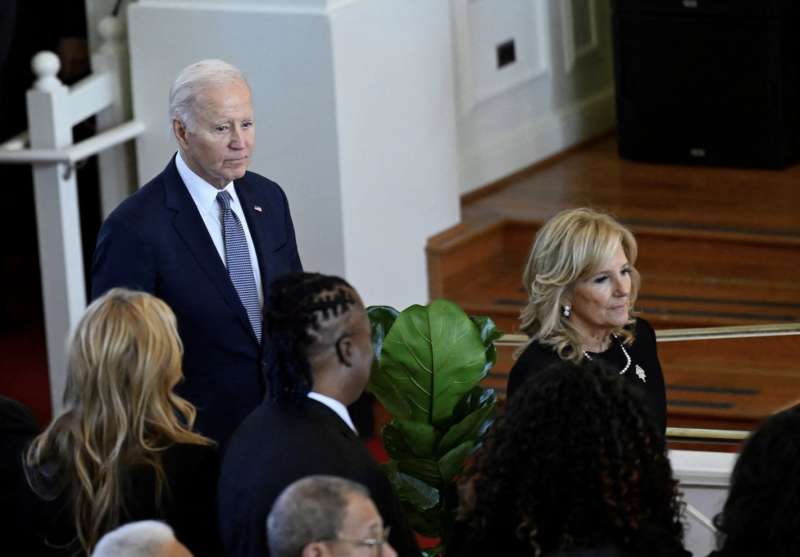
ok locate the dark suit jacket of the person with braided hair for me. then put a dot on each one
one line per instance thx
(283, 442)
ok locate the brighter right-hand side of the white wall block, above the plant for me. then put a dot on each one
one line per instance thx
(397, 140)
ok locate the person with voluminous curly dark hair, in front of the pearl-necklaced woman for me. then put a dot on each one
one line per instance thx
(574, 467)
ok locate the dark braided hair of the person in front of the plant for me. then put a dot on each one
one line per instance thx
(304, 318)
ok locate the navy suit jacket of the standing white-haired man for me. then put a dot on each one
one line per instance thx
(156, 241)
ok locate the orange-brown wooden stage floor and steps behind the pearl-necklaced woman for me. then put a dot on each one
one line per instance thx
(717, 247)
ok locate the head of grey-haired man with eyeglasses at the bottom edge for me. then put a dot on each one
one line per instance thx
(321, 516)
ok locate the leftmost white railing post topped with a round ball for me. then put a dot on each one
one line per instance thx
(57, 218)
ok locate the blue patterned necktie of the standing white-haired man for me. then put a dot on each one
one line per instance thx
(237, 259)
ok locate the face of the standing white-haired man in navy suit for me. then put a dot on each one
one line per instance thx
(218, 144)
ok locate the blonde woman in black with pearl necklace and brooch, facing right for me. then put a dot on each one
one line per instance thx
(582, 286)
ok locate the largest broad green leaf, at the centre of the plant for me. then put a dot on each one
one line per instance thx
(430, 358)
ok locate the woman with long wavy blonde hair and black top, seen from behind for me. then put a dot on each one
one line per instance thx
(123, 448)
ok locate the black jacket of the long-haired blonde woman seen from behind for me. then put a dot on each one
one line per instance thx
(46, 527)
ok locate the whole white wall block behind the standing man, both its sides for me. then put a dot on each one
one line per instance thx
(354, 118)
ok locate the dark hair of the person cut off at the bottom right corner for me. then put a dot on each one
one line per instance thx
(762, 513)
